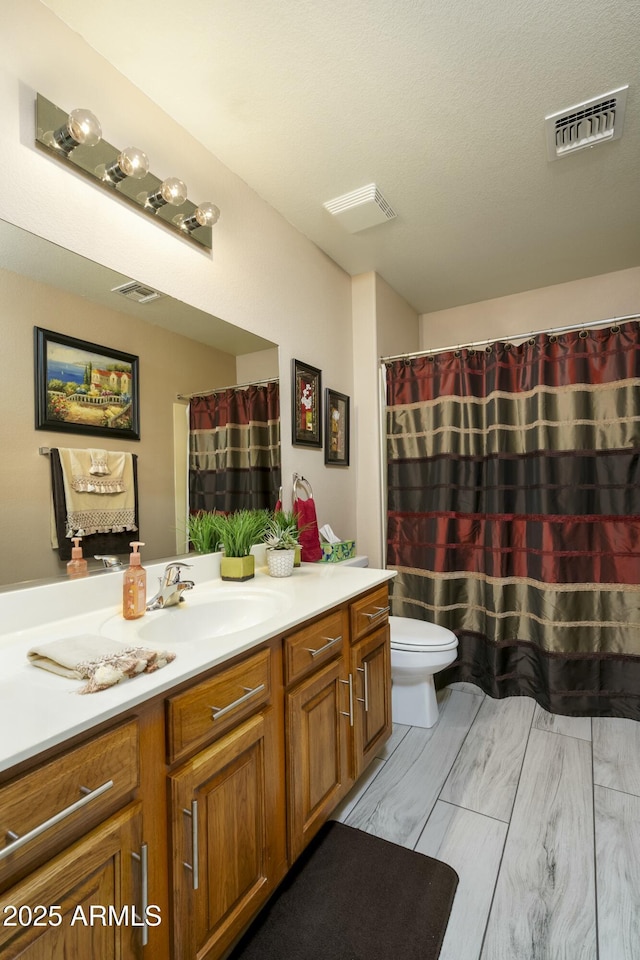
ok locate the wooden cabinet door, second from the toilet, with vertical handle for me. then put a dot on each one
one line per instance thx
(317, 767)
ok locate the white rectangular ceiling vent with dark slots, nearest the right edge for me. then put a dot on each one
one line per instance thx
(595, 121)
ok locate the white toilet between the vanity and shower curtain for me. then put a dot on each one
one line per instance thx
(419, 649)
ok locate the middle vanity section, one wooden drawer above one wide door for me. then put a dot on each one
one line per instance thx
(227, 808)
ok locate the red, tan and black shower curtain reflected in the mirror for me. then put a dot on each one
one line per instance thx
(234, 449)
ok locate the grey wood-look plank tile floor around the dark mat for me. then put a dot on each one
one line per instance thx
(538, 814)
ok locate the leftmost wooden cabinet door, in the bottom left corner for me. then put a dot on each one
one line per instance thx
(84, 903)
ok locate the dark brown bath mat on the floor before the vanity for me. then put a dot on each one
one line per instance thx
(353, 896)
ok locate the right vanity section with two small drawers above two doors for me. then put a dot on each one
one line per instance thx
(338, 713)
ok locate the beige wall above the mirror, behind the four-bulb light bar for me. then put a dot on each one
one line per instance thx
(262, 274)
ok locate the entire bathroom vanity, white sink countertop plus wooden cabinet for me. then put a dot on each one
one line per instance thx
(156, 817)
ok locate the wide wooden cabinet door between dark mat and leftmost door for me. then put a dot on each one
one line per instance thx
(228, 837)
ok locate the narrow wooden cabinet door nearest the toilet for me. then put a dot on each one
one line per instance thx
(371, 670)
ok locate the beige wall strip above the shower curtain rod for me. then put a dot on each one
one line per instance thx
(564, 304)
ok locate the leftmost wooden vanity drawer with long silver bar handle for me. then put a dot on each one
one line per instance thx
(59, 801)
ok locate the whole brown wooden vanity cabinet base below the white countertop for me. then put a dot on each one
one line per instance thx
(196, 802)
